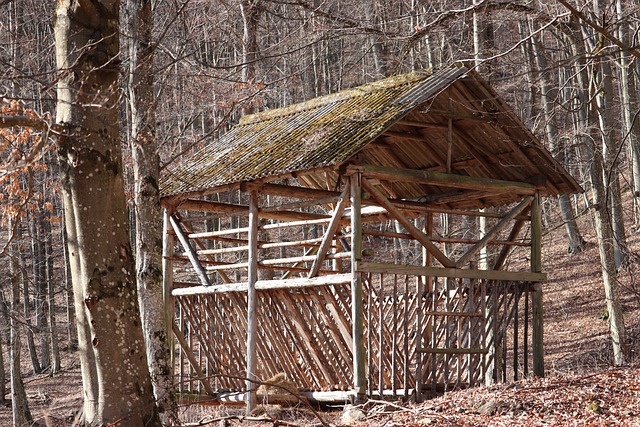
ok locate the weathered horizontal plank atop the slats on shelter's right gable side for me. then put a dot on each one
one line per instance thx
(417, 270)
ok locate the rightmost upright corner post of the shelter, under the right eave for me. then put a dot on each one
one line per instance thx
(536, 267)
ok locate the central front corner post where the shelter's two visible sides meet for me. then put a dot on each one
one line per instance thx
(357, 306)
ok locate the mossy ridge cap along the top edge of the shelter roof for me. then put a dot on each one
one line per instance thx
(389, 82)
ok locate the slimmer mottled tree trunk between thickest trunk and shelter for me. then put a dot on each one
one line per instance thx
(148, 237)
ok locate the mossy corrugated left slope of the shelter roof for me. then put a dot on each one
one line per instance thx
(324, 131)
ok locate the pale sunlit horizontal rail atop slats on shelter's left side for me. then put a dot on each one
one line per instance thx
(266, 285)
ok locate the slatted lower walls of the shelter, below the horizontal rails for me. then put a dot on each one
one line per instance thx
(306, 334)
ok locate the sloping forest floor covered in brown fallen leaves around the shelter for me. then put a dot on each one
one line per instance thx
(581, 386)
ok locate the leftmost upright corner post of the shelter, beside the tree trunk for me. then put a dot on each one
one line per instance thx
(167, 282)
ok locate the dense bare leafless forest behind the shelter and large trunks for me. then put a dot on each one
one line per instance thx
(569, 70)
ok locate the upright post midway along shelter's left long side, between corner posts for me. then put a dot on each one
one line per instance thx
(252, 323)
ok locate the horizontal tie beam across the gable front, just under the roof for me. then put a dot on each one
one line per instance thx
(447, 180)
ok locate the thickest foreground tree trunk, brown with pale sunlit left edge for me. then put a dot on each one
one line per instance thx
(102, 269)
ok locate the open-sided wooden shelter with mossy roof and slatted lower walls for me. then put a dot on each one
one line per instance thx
(383, 240)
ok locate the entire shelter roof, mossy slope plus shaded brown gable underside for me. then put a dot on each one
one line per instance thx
(451, 121)
